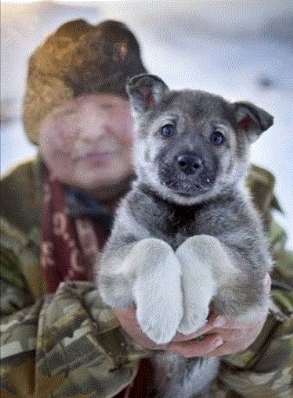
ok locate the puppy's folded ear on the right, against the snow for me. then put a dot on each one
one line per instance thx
(253, 120)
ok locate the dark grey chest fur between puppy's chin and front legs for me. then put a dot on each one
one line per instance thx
(175, 223)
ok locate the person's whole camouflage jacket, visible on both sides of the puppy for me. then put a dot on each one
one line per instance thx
(64, 345)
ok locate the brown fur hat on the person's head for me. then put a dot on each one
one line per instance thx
(78, 58)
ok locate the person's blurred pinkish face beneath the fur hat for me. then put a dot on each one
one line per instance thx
(86, 142)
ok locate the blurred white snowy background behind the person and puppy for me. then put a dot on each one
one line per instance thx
(238, 49)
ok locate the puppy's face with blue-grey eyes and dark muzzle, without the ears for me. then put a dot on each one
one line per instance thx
(187, 147)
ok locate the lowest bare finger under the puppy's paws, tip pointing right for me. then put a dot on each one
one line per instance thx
(196, 348)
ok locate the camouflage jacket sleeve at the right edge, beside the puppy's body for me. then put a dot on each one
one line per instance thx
(265, 369)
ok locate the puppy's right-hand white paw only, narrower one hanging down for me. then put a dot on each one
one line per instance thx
(198, 284)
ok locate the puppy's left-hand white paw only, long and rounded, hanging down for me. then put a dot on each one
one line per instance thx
(157, 290)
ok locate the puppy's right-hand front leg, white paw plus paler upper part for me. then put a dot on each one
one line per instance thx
(205, 267)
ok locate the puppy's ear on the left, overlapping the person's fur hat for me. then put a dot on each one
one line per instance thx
(145, 91)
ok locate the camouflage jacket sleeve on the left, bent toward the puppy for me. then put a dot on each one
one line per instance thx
(58, 345)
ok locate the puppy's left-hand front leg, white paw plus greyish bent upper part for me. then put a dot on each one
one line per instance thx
(146, 273)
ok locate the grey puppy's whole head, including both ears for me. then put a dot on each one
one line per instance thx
(190, 145)
